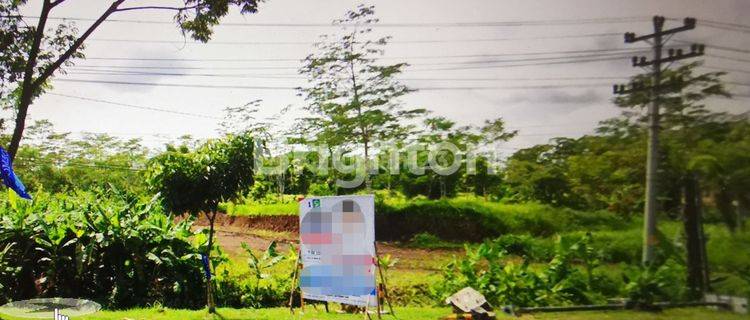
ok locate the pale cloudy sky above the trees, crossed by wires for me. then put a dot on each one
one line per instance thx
(471, 60)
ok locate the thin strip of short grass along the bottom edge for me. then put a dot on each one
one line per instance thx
(402, 313)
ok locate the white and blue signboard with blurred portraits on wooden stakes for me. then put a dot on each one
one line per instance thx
(337, 249)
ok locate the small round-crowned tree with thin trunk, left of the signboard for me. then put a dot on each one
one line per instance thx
(196, 182)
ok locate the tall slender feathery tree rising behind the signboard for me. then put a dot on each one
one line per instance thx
(354, 99)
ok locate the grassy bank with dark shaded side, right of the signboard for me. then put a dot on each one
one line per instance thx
(474, 219)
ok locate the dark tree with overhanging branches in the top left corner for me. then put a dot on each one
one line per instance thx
(33, 55)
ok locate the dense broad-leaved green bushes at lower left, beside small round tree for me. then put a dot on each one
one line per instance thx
(112, 247)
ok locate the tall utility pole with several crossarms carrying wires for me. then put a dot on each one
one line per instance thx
(652, 163)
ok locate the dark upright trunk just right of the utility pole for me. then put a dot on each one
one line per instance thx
(694, 239)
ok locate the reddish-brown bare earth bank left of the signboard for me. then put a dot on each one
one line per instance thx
(280, 223)
